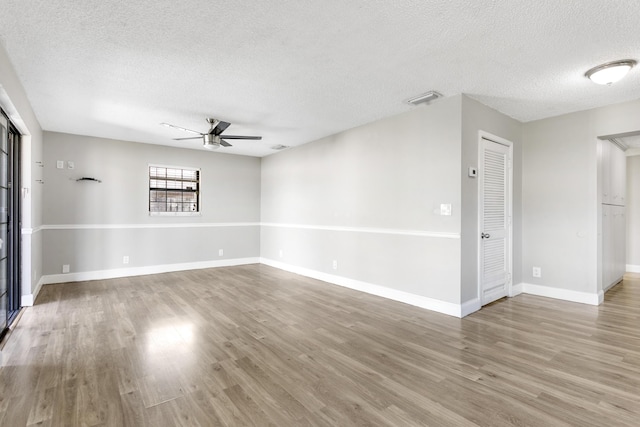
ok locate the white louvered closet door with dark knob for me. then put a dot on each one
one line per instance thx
(495, 220)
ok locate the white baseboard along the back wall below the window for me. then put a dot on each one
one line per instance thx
(141, 271)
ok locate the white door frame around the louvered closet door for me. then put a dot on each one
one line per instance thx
(498, 140)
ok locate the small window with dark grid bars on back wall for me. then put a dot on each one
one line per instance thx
(174, 190)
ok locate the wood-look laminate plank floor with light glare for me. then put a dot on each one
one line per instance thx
(256, 346)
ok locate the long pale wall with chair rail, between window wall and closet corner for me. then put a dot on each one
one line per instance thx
(367, 198)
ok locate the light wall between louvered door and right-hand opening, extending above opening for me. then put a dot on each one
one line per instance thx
(560, 199)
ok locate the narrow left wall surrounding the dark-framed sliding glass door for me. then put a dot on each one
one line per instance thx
(14, 101)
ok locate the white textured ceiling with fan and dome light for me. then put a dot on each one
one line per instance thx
(296, 71)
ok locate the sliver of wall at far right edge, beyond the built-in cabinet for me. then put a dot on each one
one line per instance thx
(633, 213)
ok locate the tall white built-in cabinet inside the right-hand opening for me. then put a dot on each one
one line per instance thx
(613, 167)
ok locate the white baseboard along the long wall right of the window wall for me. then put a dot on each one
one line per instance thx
(443, 307)
